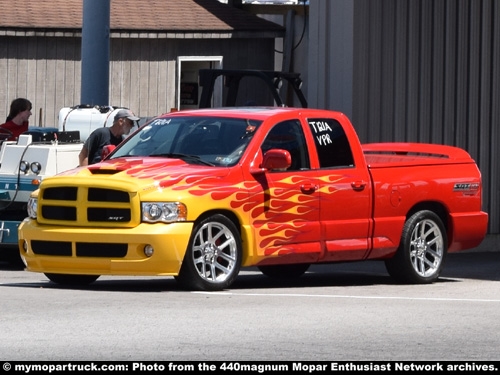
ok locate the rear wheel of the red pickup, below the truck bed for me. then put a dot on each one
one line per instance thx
(422, 251)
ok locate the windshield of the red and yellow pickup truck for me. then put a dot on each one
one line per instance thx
(203, 140)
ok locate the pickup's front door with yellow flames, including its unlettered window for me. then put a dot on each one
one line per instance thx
(290, 226)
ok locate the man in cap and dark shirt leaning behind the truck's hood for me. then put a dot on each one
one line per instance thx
(92, 148)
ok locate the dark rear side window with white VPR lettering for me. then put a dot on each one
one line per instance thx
(331, 143)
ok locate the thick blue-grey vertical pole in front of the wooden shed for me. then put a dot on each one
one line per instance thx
(95, 52)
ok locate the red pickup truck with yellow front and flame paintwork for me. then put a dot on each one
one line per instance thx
(199, 194)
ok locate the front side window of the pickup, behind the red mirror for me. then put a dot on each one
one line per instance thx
(288, 135)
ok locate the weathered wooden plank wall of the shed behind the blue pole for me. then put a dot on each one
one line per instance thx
(47, 70)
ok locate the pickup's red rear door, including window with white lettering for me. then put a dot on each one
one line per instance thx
(345, 207)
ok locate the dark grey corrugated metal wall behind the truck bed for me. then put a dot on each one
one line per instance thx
(425, 71)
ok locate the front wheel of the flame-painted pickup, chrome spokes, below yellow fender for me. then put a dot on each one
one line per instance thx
(213, 257)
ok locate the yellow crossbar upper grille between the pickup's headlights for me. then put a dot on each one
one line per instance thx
(85, 206)
